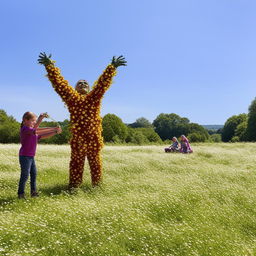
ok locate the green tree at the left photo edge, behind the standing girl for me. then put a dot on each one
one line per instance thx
(9, 128)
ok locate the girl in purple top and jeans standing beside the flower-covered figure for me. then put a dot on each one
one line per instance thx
(30, 133)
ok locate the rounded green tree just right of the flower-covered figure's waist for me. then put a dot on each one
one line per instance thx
(113, 126)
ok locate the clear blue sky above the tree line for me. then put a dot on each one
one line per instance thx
(195, 58)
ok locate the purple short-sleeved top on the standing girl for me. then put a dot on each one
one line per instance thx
(28, 140)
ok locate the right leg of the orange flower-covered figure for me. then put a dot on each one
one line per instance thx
(95, 162)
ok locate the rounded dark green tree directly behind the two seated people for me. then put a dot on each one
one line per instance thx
(170, 125)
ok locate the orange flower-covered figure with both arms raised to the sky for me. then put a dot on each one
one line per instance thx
(86, 123)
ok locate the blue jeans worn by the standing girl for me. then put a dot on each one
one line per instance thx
(28, 167)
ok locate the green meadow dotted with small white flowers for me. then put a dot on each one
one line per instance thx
(151, 203)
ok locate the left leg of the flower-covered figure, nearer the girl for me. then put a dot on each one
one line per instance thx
(76, 167)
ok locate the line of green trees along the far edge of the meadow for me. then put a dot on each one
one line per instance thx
(240, 127)
